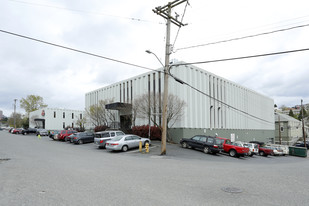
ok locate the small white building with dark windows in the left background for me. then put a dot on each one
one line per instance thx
(55, 118)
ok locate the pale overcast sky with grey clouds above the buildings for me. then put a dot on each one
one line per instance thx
(123, 30)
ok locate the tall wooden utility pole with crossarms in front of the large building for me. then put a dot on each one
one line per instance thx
(165, 12)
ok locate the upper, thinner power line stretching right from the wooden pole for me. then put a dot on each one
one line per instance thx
(244, 37)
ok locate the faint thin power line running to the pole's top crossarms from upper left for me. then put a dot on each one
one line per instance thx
(84, 11)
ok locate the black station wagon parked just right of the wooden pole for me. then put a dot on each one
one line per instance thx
(206, 143)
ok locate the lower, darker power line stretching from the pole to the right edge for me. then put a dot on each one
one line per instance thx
(243, 57)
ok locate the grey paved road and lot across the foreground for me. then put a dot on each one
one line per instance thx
(45, 172)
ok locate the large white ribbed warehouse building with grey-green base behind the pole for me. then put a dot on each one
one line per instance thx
(219, 107)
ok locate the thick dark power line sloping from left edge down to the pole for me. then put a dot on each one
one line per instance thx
(76, 50)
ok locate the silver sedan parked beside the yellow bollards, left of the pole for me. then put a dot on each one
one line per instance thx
(126, 142)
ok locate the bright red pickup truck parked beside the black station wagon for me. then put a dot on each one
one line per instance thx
(233, 149)
